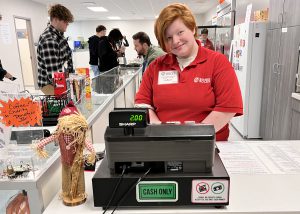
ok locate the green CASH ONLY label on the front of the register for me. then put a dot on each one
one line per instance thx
(157, 191)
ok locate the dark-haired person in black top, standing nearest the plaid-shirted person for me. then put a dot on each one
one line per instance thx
(94, 46)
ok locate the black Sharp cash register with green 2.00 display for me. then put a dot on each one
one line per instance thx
(161, 165)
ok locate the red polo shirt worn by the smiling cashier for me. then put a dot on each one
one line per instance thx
(208, 84)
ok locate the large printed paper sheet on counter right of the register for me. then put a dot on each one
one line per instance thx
(261, 157)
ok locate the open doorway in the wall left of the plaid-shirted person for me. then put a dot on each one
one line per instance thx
(26, 52)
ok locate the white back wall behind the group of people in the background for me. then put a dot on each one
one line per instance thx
(86, 29)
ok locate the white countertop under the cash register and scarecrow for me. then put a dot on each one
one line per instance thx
(249, 192)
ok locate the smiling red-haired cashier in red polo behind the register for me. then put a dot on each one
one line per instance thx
(189, 83)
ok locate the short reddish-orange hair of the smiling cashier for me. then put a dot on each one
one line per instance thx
(167, 16)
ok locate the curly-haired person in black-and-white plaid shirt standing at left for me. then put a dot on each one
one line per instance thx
(53, 51)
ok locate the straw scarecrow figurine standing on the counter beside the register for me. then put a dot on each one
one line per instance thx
(71, 136)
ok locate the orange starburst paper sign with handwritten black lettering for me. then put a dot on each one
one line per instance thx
(23, 112)
